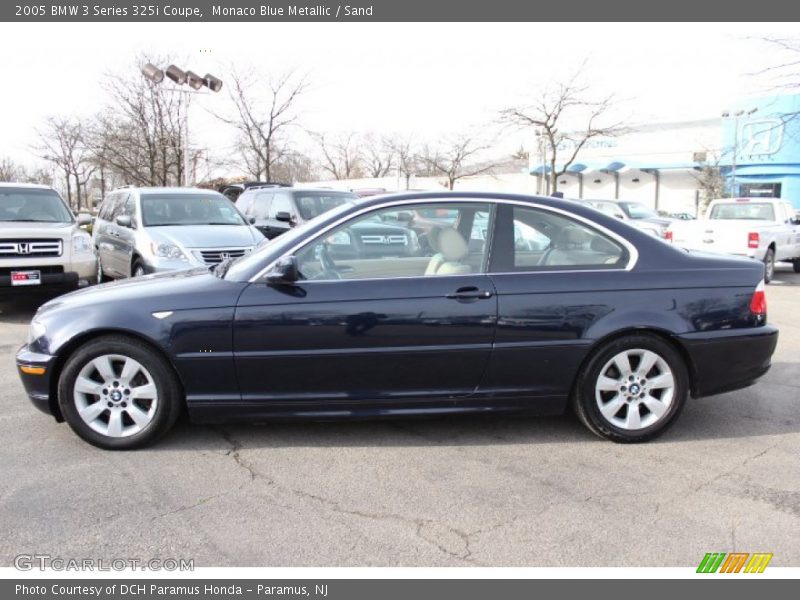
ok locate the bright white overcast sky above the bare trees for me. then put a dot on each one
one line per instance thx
(426, 79)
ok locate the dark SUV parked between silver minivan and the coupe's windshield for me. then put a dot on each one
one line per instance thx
(276, 210)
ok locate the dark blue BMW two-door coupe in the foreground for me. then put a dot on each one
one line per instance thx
(602, 317)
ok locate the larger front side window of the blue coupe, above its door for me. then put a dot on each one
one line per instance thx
(392, 243)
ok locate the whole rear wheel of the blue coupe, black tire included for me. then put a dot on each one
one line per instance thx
(622, 425)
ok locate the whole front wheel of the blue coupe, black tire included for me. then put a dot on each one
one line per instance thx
(114, 418)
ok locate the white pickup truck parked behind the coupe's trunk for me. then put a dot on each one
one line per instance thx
(766, 229)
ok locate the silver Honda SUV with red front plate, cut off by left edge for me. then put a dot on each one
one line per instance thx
(42, 245)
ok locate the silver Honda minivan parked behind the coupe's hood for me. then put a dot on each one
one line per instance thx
(150, 230)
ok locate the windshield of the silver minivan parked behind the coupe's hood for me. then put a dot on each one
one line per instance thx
(188, 209)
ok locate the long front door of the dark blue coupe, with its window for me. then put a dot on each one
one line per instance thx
(412, 326)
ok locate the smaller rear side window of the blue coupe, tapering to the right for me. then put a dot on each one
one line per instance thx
(538, 240)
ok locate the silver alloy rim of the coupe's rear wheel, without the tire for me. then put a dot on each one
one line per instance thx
(635, 389)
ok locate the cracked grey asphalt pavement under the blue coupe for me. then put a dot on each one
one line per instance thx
(456, 491)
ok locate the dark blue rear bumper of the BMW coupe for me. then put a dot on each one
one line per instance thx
(723, 361)
